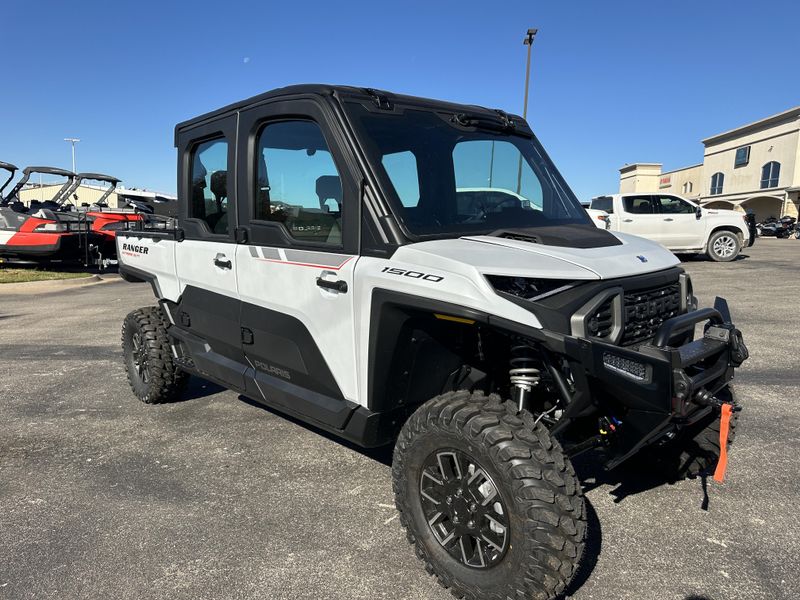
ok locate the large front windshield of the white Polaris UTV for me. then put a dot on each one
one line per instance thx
(444, 178)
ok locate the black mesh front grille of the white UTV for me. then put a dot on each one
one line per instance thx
(645, 310)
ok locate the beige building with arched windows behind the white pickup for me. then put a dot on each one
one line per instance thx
(754, 168)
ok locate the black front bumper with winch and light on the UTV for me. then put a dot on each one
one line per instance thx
(663, 385)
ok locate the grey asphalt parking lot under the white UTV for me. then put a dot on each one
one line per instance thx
(215, 497)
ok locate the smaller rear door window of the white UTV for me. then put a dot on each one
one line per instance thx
(209, 184)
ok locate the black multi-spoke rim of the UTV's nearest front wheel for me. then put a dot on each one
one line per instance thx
(464, 509)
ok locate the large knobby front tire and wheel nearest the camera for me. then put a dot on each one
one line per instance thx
(488, 499)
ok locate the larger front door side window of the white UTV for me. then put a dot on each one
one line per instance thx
(297, 182)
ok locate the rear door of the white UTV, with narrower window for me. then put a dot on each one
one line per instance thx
(208, 311)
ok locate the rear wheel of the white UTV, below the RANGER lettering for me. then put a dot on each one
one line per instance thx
(148, 357)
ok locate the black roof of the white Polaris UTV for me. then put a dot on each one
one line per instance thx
(378, 96)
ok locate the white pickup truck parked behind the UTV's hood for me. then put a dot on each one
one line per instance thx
(678, 224)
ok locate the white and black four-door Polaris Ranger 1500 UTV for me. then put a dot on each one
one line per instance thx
(413, 272)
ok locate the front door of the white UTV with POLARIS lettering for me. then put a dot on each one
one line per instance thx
(295, 267)
